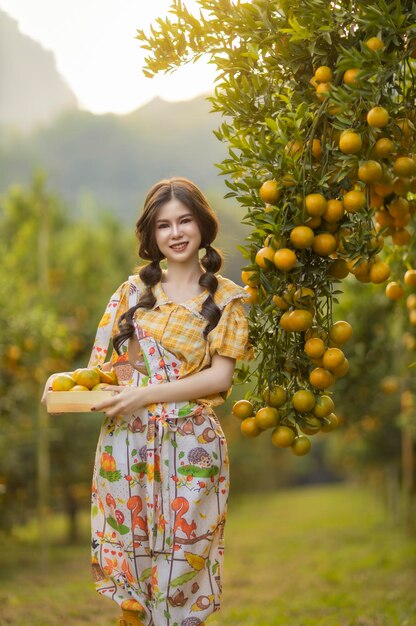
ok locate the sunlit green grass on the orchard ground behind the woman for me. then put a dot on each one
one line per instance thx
(315, 556)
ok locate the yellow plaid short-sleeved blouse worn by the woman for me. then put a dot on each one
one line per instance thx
(179, 326)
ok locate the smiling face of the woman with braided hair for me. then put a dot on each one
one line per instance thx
(177, 232)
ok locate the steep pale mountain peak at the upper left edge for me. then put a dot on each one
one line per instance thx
(32, 91)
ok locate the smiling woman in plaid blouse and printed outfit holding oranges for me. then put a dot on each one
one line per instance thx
(161, 477)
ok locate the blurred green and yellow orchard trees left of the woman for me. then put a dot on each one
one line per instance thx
(56, 279)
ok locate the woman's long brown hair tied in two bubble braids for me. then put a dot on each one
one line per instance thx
(192, 197)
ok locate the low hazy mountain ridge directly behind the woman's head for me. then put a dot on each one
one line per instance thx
(116, 158)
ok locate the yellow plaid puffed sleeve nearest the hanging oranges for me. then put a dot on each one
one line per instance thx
(230, 336)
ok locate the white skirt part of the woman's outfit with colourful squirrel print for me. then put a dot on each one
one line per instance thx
(160, 491)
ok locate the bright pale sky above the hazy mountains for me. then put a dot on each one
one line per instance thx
(97, 54)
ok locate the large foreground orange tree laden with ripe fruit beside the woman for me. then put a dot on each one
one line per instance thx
(318, 106)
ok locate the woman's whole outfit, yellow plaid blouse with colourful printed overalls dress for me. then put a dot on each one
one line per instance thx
(161, 478)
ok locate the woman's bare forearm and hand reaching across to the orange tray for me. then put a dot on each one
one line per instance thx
(216, 378)
